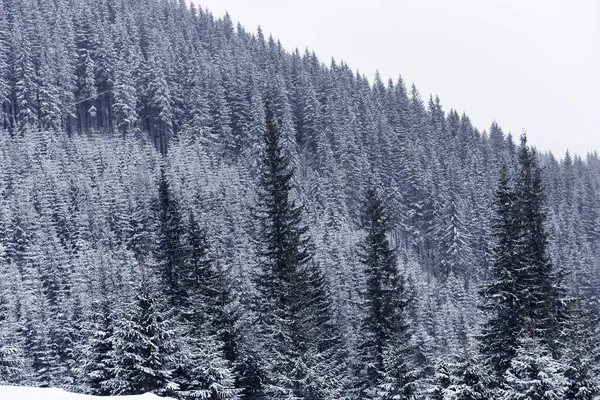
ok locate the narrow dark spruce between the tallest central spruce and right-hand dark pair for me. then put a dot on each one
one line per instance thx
(385, 351)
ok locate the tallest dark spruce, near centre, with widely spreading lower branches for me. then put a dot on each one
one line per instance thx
(298, 339)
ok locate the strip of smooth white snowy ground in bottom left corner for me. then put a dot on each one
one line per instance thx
(29, 393)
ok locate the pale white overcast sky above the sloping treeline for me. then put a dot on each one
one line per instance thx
(532, 65)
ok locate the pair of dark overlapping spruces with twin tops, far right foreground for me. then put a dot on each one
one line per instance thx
(524, 296)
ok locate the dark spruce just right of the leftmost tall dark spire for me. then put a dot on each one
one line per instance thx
(207, 371)
